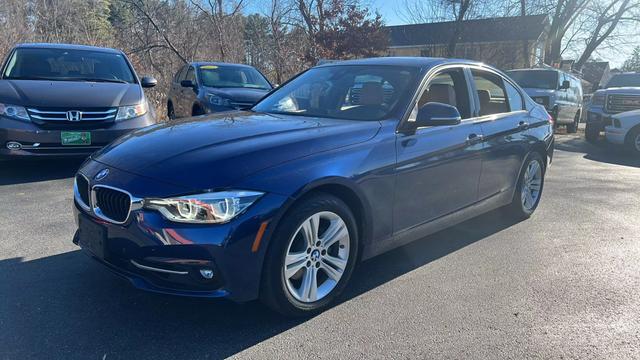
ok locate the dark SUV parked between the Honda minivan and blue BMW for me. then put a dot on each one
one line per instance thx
(201, 88)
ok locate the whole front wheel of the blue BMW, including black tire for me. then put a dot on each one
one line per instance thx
(284, 291)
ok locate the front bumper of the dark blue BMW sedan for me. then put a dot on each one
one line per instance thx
(157, 255)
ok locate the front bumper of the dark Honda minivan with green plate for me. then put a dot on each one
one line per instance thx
(39, 142)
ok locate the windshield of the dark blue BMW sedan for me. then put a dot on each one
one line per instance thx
(344, 92)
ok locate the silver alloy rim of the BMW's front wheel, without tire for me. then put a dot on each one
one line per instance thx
(316, 257)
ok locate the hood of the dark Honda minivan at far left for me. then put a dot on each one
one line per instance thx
(38, 93)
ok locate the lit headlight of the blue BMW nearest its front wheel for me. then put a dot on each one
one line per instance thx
(207, 208)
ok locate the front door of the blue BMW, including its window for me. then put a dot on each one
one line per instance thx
(438, 167)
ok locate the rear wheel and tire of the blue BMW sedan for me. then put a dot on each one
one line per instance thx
(522, 208)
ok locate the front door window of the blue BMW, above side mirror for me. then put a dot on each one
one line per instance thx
(448, 87)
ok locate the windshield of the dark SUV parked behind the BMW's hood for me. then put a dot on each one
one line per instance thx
(232, 77)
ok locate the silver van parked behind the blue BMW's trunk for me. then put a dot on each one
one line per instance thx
(559, 92)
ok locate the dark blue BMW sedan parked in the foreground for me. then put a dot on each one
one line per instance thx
(343, 162)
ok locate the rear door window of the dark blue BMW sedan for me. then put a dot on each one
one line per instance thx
(491, 93)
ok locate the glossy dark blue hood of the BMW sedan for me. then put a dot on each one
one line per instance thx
(212, 152)
